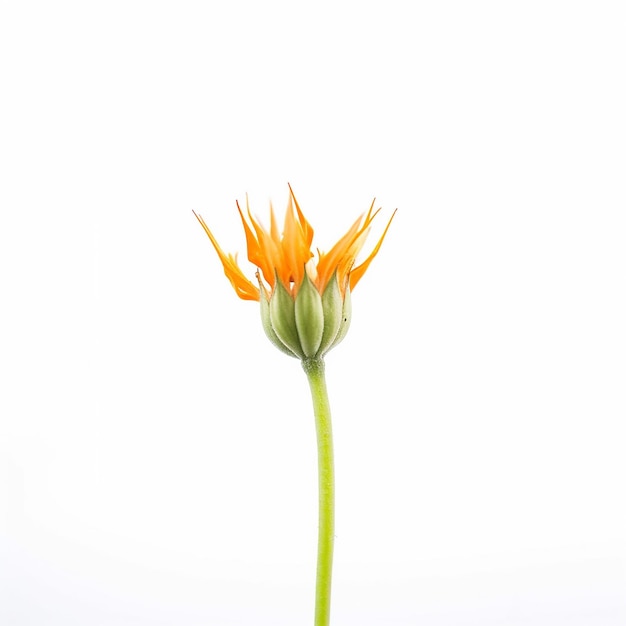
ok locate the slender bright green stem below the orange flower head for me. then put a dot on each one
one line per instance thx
(314, 369)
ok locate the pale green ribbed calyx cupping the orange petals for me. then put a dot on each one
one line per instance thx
(310, 325)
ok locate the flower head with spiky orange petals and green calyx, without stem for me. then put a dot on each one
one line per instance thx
(305, 302)
